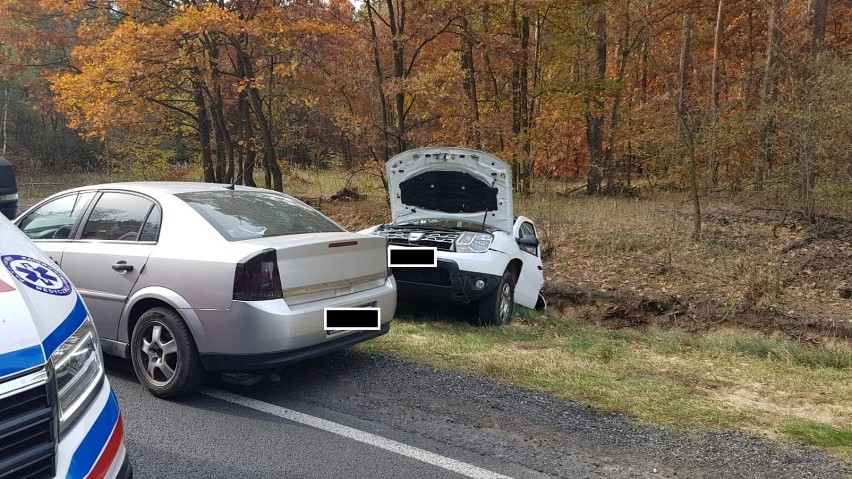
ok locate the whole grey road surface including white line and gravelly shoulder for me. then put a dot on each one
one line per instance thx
(352, 414)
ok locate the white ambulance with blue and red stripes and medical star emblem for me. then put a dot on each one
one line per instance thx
(58, 415)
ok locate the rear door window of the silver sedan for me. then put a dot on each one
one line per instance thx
(117, 216)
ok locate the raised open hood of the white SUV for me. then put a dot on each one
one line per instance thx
(450, 184)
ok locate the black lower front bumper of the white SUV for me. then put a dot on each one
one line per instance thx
(446, 282)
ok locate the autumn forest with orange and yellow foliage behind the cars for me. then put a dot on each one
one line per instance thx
(590, 90)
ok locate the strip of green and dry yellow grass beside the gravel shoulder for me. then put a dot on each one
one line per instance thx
(725, 379)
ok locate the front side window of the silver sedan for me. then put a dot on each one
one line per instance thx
(54, 220)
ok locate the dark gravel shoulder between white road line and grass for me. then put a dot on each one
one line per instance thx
(558, 438)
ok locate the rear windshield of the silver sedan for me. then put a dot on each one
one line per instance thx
(240, 215)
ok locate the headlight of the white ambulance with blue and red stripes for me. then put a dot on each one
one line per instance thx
(79, 370)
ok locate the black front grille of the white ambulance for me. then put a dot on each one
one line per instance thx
(27, 428)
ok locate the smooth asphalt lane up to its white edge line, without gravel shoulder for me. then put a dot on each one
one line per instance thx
(202, 436)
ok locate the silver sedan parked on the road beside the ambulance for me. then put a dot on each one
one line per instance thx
(185, 278)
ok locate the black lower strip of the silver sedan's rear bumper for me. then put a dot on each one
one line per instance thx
(243, 362)
